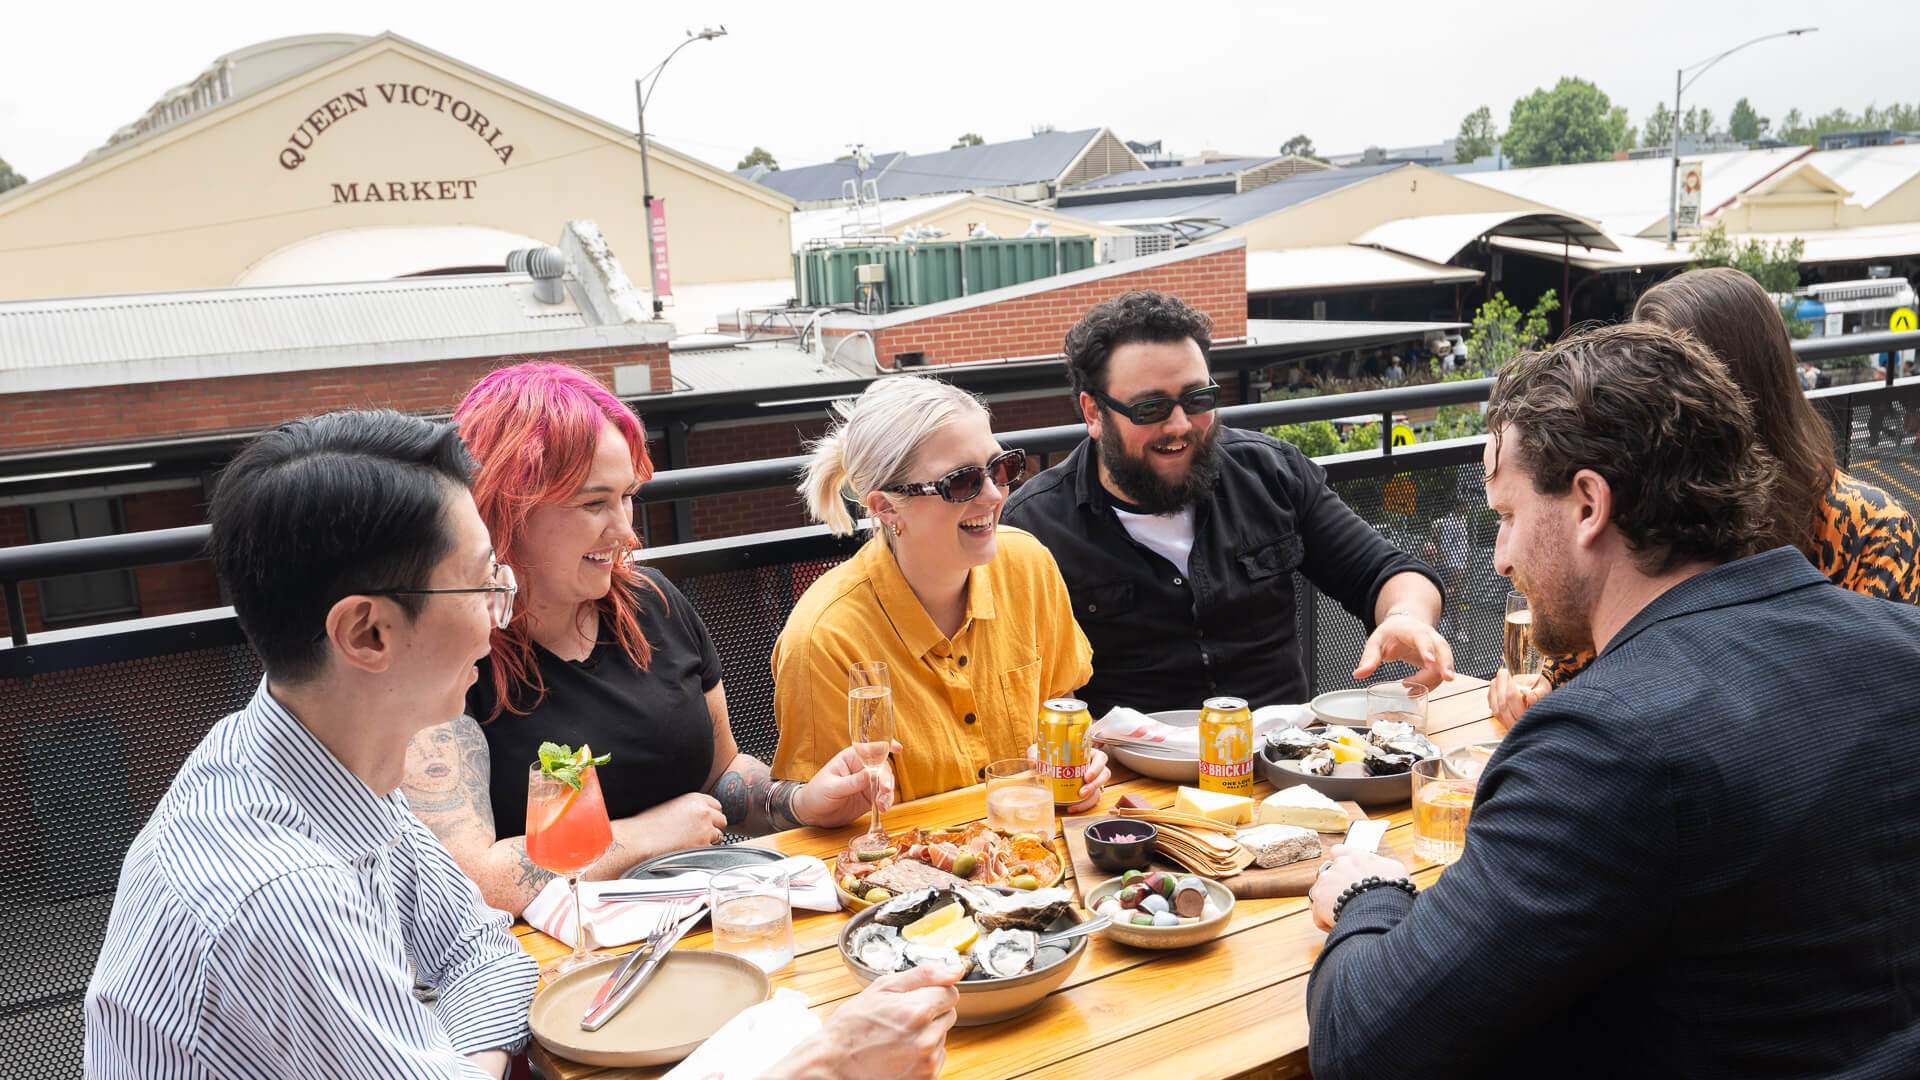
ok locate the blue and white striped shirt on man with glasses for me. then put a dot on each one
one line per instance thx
(274, 916)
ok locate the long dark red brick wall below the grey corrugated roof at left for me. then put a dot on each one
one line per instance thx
(247, 403)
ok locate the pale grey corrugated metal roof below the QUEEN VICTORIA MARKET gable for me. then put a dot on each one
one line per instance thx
(218, 322)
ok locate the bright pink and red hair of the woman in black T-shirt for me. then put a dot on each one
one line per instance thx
(533, 431)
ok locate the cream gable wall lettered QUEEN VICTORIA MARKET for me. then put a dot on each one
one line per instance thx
(197, 205)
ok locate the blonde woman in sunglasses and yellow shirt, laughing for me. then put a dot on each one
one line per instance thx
(971, 618)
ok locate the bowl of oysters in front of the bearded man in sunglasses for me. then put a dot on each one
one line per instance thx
(1368, 766)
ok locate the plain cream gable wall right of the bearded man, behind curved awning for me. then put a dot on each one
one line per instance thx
(1347, 214)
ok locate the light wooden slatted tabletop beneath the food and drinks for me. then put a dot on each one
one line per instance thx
(1232, 1008)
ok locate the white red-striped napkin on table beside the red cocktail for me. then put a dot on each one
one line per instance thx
(621, 921)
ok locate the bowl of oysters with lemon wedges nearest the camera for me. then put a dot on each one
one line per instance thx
(1017, 946)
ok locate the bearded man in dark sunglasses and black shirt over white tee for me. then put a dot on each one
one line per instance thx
(1180, 537)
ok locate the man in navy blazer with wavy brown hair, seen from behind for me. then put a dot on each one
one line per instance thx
(1700, 858)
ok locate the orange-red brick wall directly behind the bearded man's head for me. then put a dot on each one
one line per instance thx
(1036, 324)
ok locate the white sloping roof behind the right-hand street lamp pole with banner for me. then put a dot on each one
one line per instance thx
(1631, 197)
